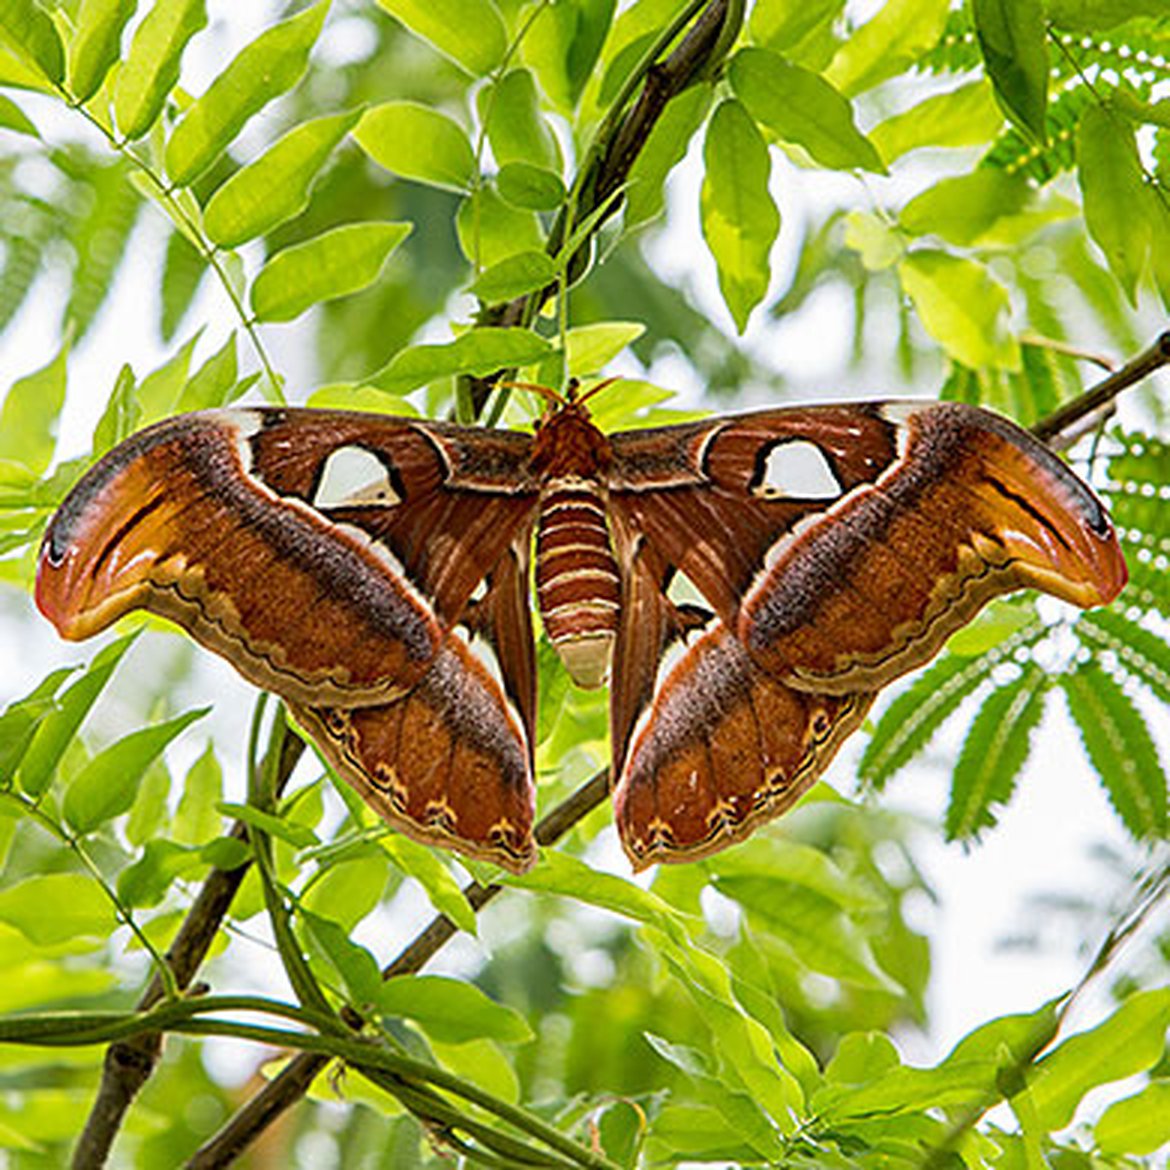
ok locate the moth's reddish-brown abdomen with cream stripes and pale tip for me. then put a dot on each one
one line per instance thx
(577, 579)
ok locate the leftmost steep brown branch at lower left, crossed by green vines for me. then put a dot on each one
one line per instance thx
(129, 1064)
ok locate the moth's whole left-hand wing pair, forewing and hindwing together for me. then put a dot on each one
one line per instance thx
(332, 558)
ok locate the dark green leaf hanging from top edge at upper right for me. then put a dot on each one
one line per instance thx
(1014, 44)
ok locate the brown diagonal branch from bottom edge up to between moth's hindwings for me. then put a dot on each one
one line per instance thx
(294, 1080)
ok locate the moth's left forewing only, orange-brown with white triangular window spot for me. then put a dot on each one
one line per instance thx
(243, 527)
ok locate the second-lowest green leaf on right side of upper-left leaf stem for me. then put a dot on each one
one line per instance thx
(274, 188)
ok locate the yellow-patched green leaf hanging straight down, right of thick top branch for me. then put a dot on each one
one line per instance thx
(739, 216)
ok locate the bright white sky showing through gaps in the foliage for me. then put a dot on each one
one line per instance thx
(1045, 838)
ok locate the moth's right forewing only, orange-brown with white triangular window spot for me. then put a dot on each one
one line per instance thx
(923, 513)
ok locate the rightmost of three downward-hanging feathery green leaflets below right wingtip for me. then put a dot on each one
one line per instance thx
(1120, 748)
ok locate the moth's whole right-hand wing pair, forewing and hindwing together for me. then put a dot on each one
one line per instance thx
(823, 584)
